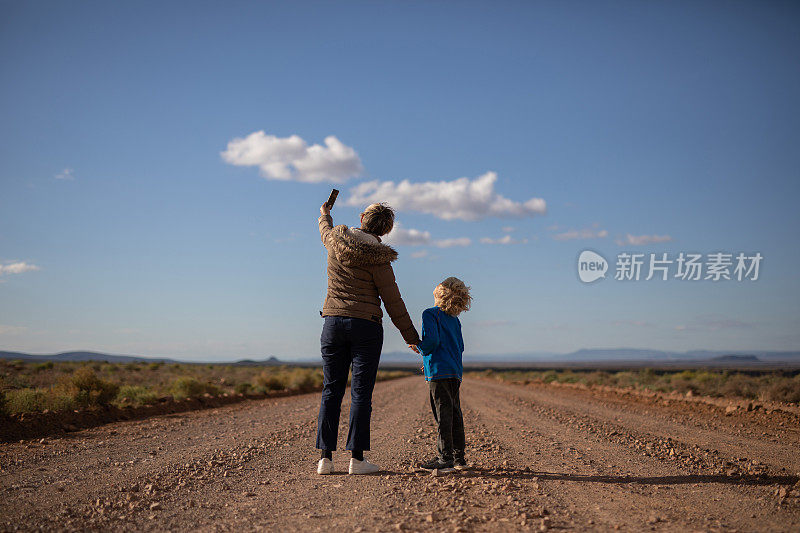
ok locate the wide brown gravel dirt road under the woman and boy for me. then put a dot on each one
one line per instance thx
(544, 457)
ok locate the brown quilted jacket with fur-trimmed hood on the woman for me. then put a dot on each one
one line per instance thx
(360, 275)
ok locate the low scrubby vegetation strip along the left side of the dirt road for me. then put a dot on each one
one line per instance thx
(29, 387)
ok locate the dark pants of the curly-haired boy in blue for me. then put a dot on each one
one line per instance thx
(446, 406)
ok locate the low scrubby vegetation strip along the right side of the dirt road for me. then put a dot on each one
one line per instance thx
(776, 386)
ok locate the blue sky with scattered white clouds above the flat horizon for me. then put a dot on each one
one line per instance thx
(124, 227)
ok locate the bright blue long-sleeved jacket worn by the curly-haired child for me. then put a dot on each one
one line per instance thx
(441, 346)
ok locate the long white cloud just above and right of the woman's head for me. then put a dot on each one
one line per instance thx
(462, 198)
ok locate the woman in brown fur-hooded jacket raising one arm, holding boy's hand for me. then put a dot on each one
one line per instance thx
(360, 275)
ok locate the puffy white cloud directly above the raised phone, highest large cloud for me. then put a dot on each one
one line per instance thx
(290, 158)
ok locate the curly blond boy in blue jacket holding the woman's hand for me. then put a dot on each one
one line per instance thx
(442, 347)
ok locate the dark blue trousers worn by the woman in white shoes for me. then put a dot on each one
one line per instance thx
(345, 341)
